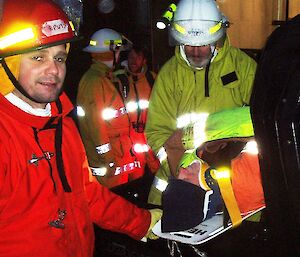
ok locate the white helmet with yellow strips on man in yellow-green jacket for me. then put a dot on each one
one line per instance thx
(197, 23)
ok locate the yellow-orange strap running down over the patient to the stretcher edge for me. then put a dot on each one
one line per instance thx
(226, 190)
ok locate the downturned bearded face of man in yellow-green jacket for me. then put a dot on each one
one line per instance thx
(198, 56)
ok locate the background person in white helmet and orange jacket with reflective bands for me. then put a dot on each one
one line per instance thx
(106, 109)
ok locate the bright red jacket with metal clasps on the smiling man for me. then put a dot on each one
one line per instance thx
(46, 214)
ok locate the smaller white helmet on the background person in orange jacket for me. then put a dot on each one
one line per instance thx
(105, 40)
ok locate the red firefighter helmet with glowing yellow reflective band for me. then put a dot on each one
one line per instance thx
(33, 25)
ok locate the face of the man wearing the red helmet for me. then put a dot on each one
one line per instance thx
(42, 74)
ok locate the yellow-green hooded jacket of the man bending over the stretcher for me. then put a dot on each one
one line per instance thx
(179, 95)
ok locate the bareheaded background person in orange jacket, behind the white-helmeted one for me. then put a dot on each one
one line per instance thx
(140, 82)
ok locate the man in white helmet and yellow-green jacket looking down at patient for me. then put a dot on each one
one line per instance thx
(205, 75)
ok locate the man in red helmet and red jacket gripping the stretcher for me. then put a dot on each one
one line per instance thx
(49, 198)
